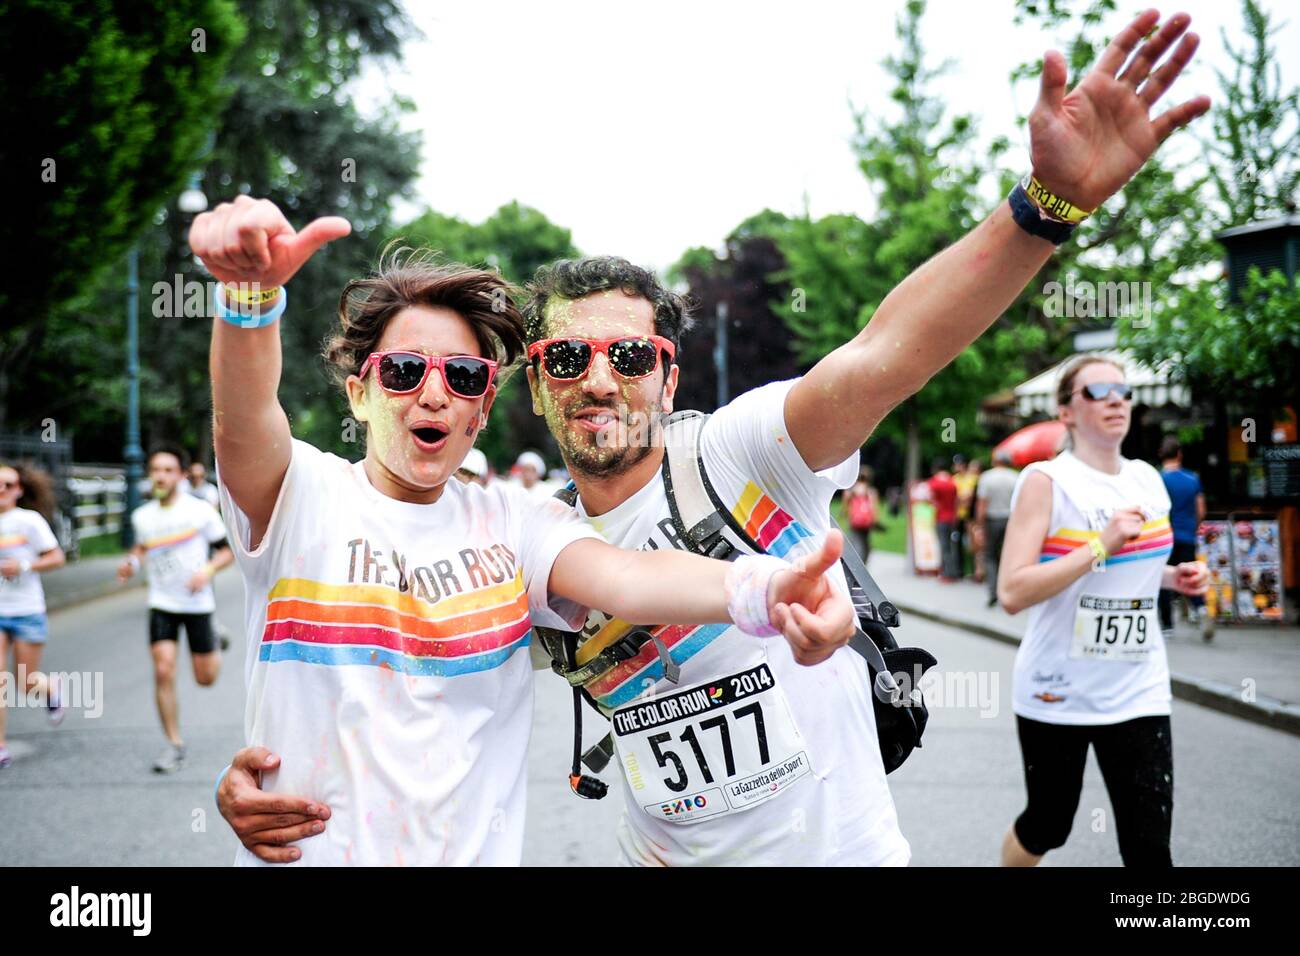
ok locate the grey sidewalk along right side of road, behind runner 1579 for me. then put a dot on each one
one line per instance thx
(1250, 672)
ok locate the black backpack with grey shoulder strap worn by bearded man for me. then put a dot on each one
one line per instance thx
(707, 527)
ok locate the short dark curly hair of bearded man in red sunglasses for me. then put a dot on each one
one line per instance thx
(573, 279)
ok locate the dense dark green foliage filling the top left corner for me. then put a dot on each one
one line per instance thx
(106, 118)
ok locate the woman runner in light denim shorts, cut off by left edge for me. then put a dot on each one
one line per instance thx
(28, 550)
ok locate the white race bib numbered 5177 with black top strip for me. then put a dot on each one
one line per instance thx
(716, 749)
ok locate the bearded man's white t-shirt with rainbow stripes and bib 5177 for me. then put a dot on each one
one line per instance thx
(796, 780)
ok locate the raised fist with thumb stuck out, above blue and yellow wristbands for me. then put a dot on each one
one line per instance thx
(250, 241)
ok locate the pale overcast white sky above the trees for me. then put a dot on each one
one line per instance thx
(649, 129)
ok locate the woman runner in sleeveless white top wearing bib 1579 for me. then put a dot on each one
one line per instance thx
(1086, 551)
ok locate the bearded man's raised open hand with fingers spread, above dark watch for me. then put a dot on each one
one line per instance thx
(1087, 144)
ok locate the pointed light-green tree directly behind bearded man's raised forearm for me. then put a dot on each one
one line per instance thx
(925, 171)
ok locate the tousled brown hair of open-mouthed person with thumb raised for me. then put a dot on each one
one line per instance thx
(406, 278)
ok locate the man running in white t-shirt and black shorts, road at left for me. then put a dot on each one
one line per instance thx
(181, 543)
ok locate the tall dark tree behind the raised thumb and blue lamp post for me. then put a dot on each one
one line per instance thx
(289, 132)
